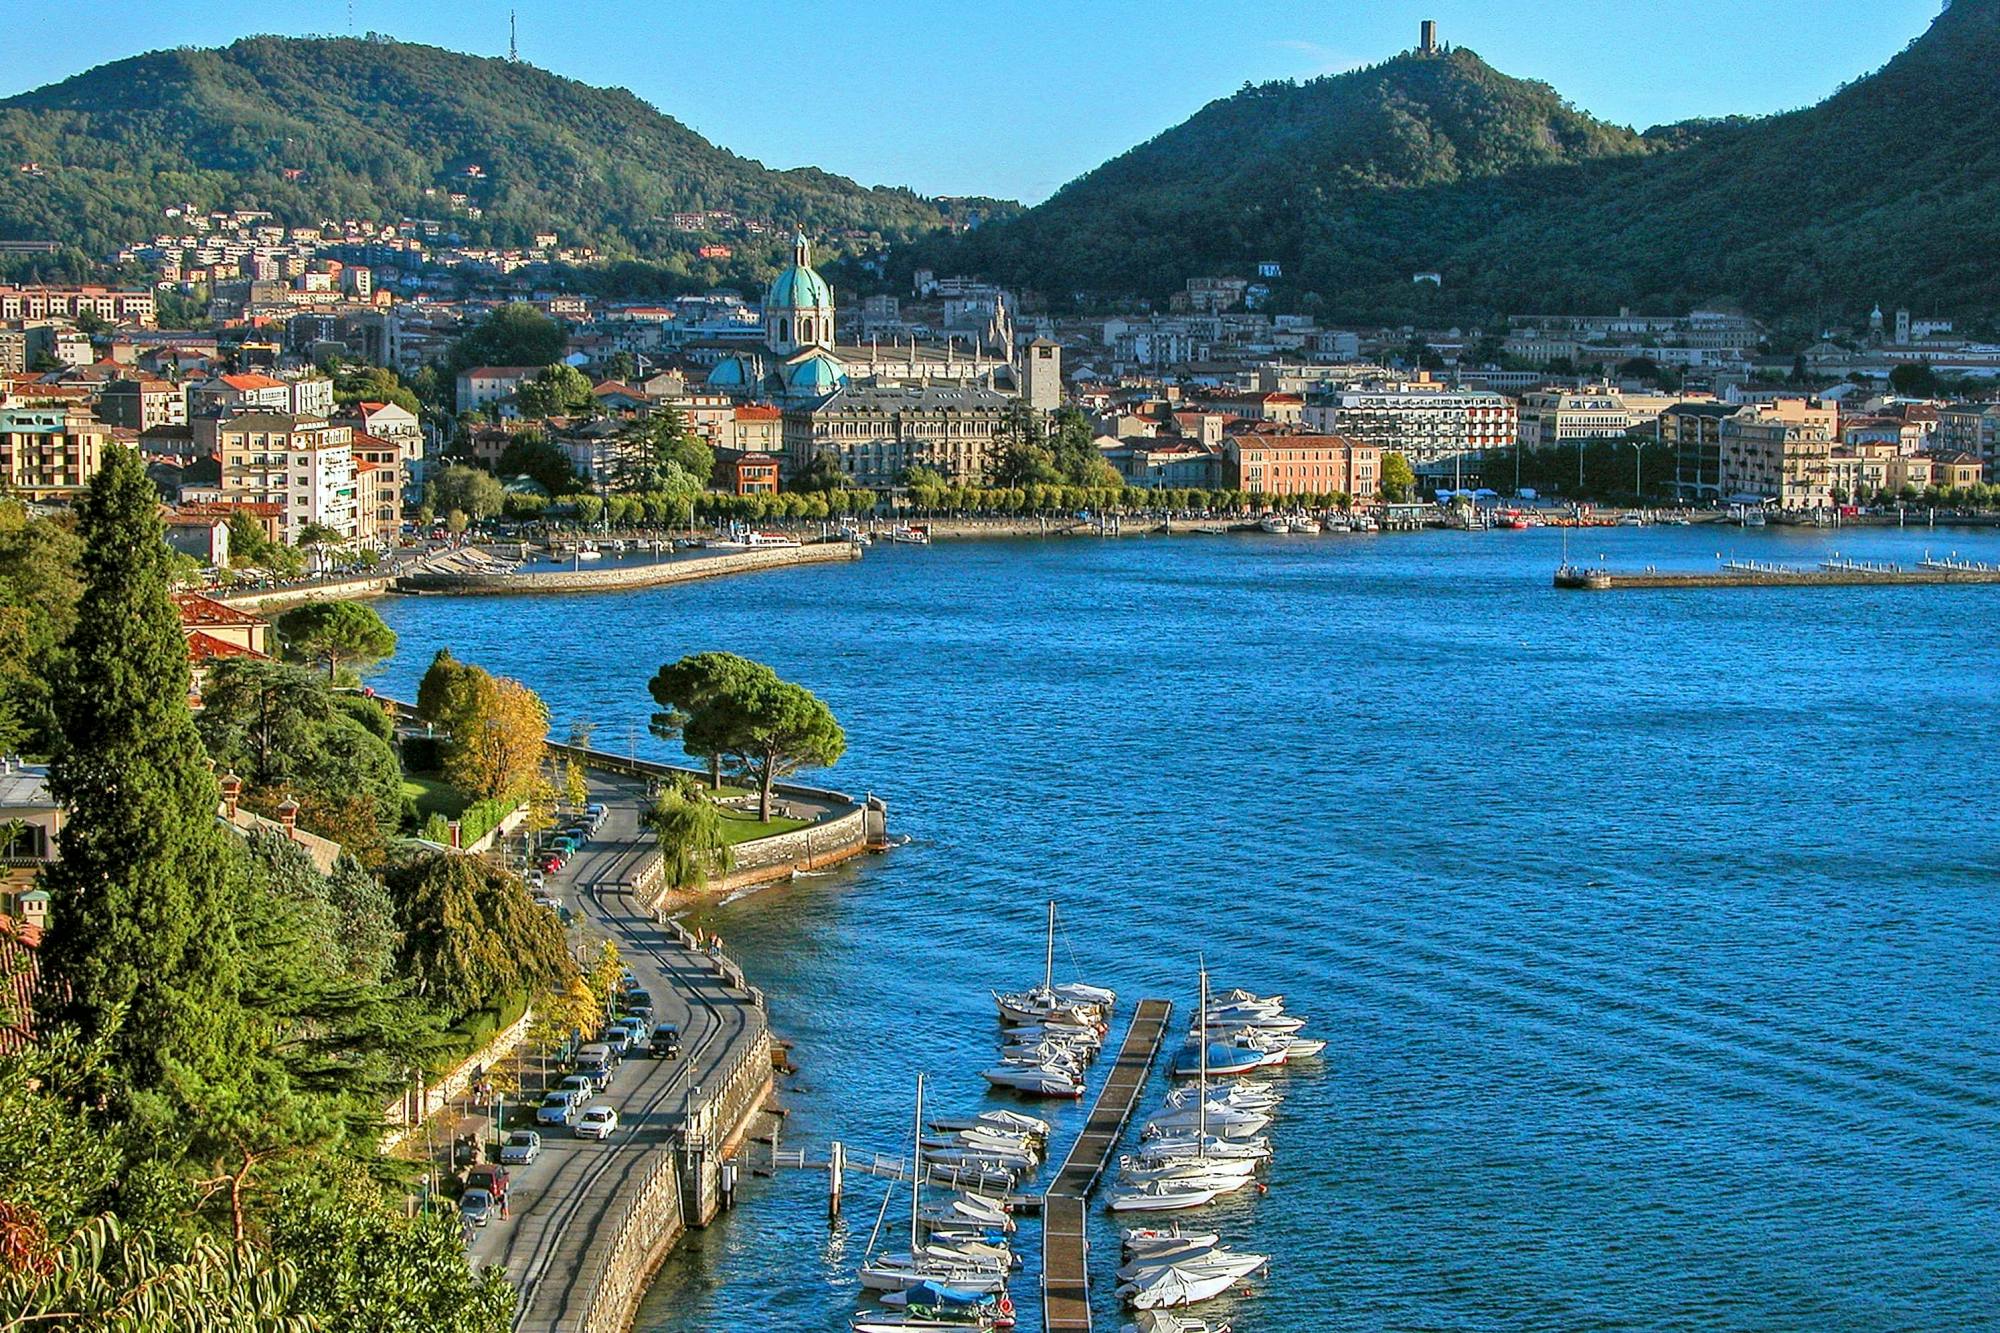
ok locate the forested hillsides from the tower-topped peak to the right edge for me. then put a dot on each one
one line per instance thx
(1889, 191)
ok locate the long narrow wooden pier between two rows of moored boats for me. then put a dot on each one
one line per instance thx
(1065, 1226)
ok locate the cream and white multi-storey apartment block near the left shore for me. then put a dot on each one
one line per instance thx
(301, 463)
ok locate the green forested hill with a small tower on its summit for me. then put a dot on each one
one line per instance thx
(1333, 177)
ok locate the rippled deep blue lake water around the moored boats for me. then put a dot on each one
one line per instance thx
(1655, 932)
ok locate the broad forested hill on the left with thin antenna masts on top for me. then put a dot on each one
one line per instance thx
(373, 125)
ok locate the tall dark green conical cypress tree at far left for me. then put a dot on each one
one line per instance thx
(141, 946)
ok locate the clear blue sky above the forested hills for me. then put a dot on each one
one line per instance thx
(1017, 97)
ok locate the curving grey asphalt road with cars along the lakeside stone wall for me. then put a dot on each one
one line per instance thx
(569, 1202)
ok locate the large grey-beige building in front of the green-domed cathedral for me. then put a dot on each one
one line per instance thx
(879, 433)
